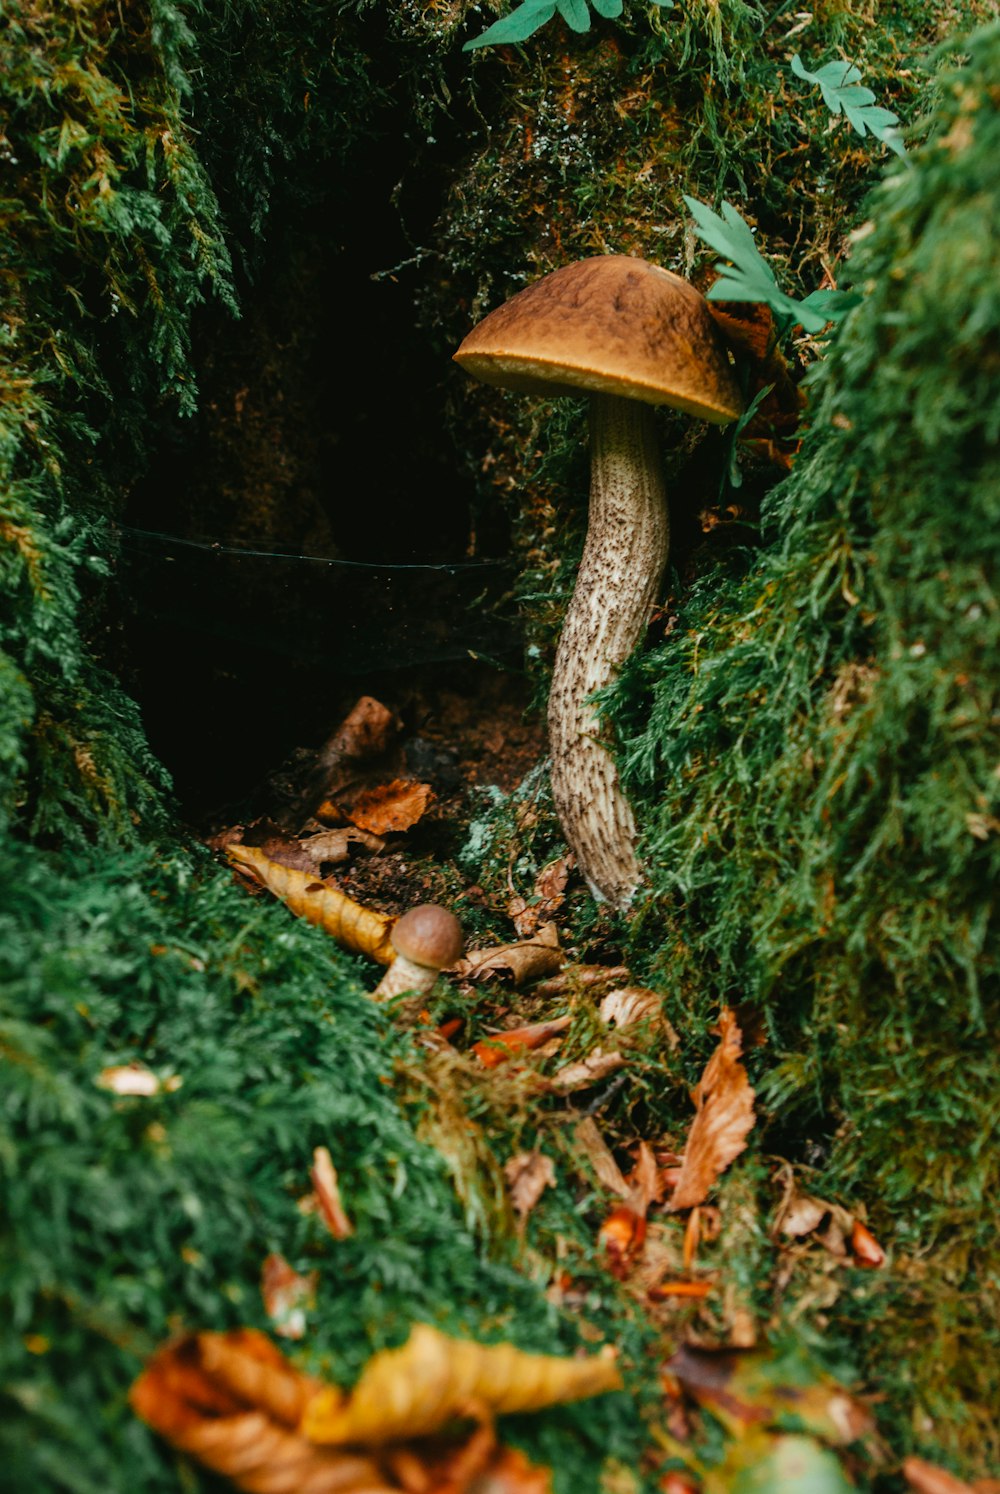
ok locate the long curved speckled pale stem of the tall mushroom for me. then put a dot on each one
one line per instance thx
(623, 565)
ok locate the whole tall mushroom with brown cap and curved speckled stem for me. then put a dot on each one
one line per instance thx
(633, 335)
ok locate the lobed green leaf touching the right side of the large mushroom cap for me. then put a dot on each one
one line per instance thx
(750, 277)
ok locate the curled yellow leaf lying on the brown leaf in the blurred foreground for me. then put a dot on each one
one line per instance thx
(419, 1389)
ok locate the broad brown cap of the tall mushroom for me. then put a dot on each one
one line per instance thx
(612, 323)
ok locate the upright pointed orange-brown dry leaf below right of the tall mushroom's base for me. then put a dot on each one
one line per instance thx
(724, 1118)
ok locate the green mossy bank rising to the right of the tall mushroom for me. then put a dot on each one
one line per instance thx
(815, 758)
